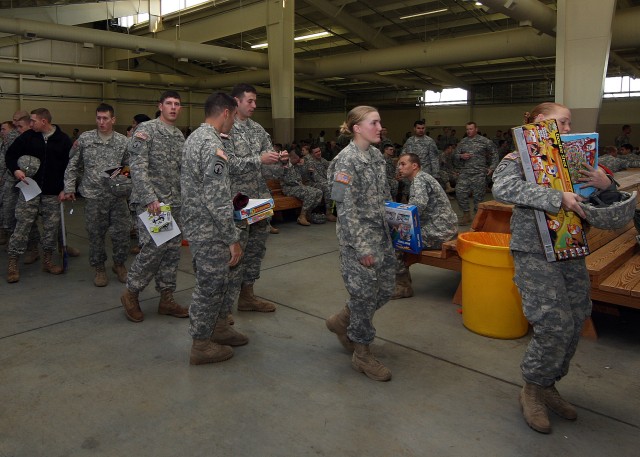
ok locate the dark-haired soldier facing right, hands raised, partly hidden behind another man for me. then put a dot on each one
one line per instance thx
(249, 149)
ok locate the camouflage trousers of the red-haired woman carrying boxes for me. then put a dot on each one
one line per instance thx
(555, 301)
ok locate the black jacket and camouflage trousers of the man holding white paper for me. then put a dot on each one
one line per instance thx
(50, 178)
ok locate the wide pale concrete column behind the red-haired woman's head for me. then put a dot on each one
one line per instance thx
(582, 54)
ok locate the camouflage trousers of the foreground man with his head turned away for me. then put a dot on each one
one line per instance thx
(210, 260)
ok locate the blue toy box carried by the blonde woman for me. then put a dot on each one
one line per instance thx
(404, 226)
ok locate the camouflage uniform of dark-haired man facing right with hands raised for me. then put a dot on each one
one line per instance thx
(248, 140)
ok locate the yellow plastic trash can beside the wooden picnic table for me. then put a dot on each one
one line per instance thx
(491, 304)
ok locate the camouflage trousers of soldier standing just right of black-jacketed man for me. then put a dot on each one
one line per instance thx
(109, 213)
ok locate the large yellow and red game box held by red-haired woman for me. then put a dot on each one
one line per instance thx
(545, 163)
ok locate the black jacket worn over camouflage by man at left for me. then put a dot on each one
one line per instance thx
(53, 155)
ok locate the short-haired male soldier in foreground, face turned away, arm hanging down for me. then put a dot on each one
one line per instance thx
(213, 237)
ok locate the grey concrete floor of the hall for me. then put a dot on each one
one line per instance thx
(78, 379)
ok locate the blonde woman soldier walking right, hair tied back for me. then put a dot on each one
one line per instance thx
(367, 260)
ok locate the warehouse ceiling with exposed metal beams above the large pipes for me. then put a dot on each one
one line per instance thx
(351, 27)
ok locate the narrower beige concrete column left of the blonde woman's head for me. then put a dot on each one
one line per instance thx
(280, 22)
